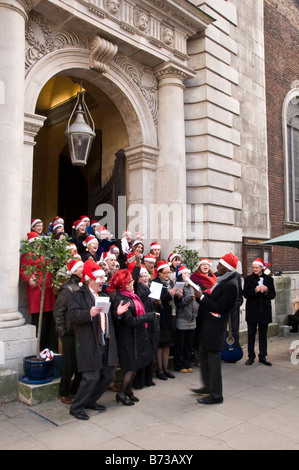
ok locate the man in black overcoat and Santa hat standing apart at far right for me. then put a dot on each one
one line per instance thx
(258, 291)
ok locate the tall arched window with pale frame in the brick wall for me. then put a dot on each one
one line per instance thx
(291, 148)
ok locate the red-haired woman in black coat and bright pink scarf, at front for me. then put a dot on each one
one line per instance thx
(134, 347)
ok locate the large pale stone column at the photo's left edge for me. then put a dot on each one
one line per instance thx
(12, 48)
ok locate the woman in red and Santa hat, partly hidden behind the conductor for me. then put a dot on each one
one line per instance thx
(205, 279)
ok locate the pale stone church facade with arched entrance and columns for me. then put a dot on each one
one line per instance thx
(178, 85)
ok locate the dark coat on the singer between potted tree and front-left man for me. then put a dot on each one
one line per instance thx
(62, 324)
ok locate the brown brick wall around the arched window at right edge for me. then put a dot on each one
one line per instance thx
(281, 28)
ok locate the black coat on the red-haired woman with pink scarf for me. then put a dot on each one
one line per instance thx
(134, 347)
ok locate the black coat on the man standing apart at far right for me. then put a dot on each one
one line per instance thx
(258, 305)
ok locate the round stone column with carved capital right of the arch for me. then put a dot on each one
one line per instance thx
(171, 165)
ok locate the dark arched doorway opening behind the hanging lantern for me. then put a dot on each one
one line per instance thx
(59, 188)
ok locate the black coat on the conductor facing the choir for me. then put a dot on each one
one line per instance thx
(220, 302)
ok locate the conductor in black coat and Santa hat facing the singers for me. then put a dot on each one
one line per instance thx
(215, 308)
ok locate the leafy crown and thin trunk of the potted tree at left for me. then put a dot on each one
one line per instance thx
(48, 256)
